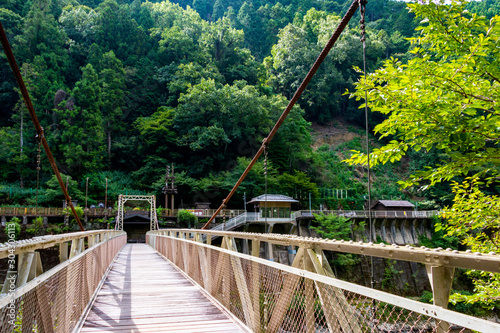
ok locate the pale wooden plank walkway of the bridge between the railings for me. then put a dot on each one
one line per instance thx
(145, 293)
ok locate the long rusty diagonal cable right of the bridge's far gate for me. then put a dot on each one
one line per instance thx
(345, 20)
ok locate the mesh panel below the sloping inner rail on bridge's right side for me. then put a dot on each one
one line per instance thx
(270, 297)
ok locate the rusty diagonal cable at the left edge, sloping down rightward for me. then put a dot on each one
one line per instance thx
(34, 118)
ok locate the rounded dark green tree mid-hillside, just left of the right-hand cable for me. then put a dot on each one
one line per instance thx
(215, 122)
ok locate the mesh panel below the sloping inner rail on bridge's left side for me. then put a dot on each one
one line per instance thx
(55, 301)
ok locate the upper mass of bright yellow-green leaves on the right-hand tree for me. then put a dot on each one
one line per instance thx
(446, 97)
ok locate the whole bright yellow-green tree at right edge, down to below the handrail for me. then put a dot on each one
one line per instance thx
(445, 98)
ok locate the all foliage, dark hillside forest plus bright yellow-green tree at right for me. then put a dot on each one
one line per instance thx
(124, 88)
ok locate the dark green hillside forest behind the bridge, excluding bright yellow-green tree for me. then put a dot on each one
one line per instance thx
(123, 88)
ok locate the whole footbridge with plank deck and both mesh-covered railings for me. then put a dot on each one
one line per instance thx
(180, 282)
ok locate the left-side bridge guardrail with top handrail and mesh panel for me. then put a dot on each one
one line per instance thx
(54, 301)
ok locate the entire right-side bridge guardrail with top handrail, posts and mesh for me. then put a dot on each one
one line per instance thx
(306, 297)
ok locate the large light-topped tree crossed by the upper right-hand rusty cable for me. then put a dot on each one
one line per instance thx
(299, 45)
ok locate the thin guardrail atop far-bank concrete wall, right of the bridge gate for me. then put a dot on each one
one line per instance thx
(415, 214)
